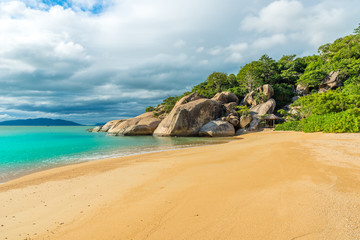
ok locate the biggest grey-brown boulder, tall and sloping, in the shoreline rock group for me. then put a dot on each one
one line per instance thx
(186, 119)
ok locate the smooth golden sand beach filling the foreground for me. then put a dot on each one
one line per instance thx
(265, 185)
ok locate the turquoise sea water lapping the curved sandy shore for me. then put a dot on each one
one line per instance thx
(28, 149)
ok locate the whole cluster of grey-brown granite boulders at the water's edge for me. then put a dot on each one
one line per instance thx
(194, 115)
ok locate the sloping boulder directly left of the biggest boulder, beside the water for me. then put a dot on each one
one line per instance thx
(144, 124)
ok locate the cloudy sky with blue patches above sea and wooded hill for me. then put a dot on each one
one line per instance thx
(93, 61)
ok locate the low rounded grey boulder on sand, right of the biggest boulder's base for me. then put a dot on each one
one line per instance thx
(217, 128)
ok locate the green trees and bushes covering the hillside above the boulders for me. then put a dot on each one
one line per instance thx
(315, 109)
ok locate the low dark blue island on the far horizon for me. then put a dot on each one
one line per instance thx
(39, 122)
